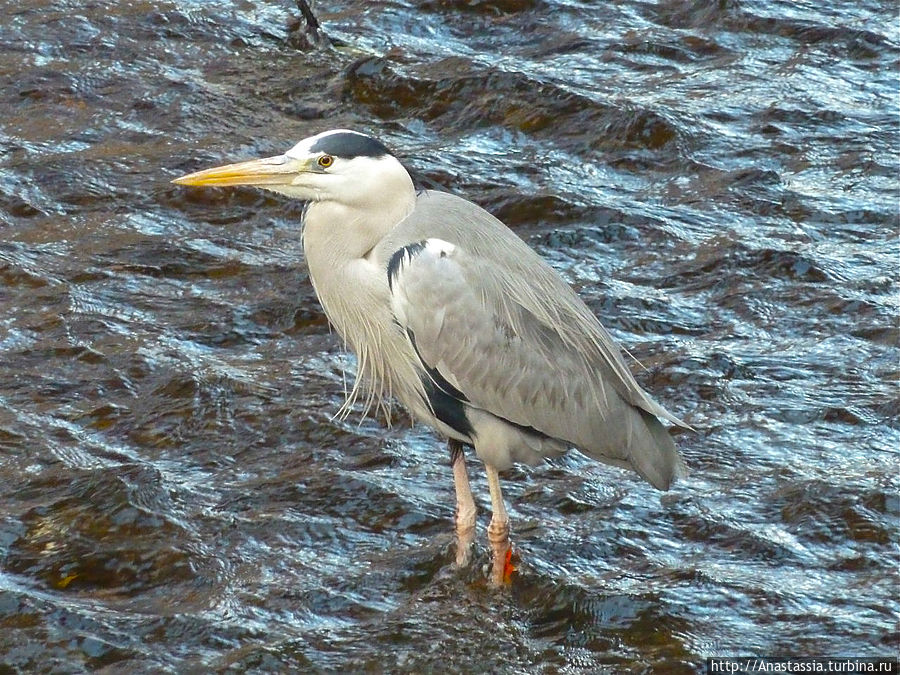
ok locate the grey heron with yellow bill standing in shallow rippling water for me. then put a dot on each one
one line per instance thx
(452, 314)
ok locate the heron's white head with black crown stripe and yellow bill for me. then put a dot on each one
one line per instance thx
(339, 166)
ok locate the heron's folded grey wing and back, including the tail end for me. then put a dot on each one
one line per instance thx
(503, 333)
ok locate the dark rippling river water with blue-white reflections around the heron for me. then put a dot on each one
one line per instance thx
(718, 179)
